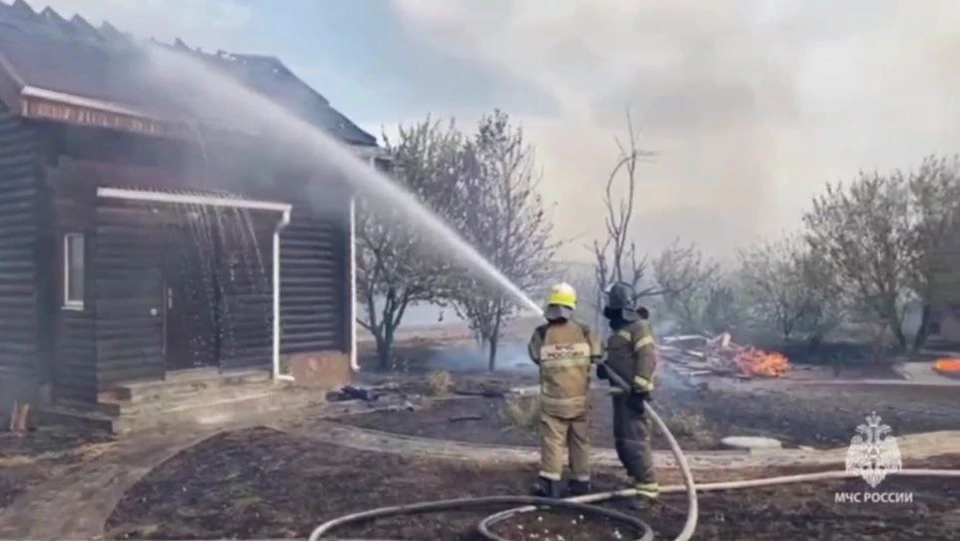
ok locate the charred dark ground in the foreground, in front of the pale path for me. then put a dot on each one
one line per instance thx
(259, 483)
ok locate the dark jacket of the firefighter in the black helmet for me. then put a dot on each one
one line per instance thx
(632, 354)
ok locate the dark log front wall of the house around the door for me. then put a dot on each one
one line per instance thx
(115, 338)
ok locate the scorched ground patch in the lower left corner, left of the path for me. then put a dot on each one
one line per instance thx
(27, 460)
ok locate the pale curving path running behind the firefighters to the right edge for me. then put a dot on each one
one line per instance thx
(917, 446)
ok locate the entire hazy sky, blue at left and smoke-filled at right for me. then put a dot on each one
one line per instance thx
(750, 106)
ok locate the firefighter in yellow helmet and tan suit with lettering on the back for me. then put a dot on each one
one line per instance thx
(565, 351)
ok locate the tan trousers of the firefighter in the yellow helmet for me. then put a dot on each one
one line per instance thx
(562, 440)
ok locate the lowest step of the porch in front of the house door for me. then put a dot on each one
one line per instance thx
(218, 411)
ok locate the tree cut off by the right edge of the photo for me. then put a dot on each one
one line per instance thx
(935, 200)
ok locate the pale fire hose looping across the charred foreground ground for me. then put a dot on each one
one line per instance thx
(586, 505)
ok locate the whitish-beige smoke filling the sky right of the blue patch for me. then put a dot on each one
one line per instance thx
(751, 105)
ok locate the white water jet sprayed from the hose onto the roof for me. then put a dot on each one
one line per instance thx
(222, 100)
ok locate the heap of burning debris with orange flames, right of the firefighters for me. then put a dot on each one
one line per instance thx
(721, 356)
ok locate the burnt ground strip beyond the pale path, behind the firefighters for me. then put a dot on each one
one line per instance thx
(797, 415)
